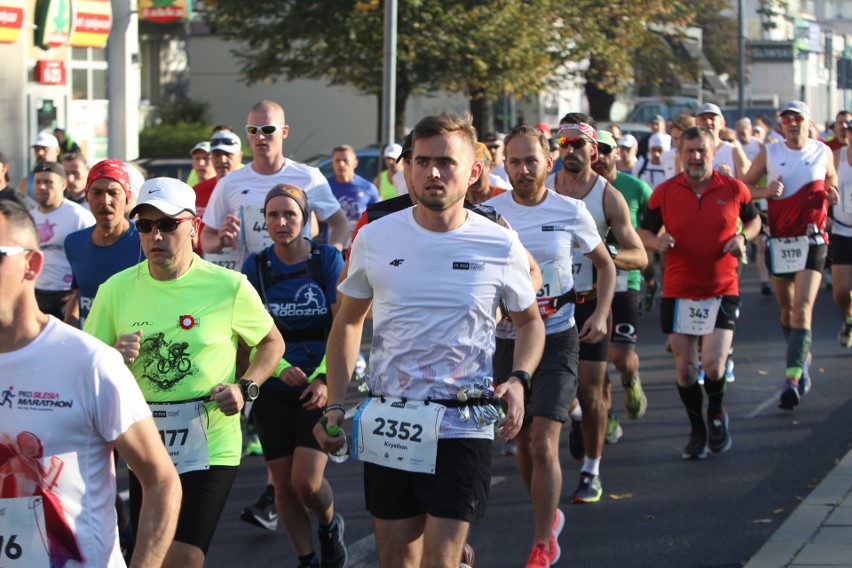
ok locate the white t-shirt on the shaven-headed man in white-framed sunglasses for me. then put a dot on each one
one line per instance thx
(242, 193)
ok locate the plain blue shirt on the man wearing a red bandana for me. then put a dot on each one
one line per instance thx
(92, 265)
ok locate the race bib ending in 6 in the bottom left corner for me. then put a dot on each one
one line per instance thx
(23, 533)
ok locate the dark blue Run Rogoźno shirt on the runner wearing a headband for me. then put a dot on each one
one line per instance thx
(300, 303)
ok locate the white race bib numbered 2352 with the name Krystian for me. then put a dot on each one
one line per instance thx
(397, 434)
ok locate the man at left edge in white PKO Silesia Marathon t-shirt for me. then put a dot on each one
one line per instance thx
(68, 401)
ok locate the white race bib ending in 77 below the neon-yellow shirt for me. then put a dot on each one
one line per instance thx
(183, 430)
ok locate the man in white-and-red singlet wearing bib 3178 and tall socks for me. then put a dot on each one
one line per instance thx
(801, 179)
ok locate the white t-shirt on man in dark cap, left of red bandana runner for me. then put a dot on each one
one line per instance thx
(53, 227)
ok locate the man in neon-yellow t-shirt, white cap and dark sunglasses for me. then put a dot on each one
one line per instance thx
(177, 319)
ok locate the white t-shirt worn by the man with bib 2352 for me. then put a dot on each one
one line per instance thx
(435, 296)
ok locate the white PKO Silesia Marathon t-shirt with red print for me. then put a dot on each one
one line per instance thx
(65, 398)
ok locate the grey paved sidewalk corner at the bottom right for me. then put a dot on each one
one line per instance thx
(819, 531)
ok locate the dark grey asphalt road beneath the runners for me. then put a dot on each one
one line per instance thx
(658, 510)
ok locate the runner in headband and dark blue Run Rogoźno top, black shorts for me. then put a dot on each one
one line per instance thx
(293, 277)
